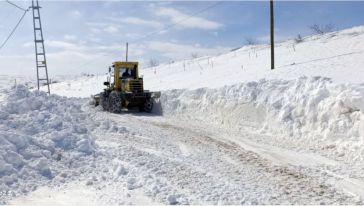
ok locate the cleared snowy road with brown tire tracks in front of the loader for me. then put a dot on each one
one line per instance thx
(155, 159)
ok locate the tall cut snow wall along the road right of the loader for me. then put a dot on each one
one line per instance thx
(312, 112)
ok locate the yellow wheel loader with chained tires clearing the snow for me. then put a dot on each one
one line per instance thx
(126, 91)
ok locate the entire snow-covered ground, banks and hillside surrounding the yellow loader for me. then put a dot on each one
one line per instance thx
(226, 130)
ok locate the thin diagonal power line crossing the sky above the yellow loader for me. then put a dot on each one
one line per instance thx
(159, 31)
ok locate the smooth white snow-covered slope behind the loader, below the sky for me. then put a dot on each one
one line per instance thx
(337, 55)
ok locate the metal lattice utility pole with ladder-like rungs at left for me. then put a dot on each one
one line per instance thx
(40, 57)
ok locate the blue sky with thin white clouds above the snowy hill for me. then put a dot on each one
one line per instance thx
(88, 36)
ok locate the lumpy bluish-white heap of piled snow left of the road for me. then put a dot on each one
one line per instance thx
(39, 135)
